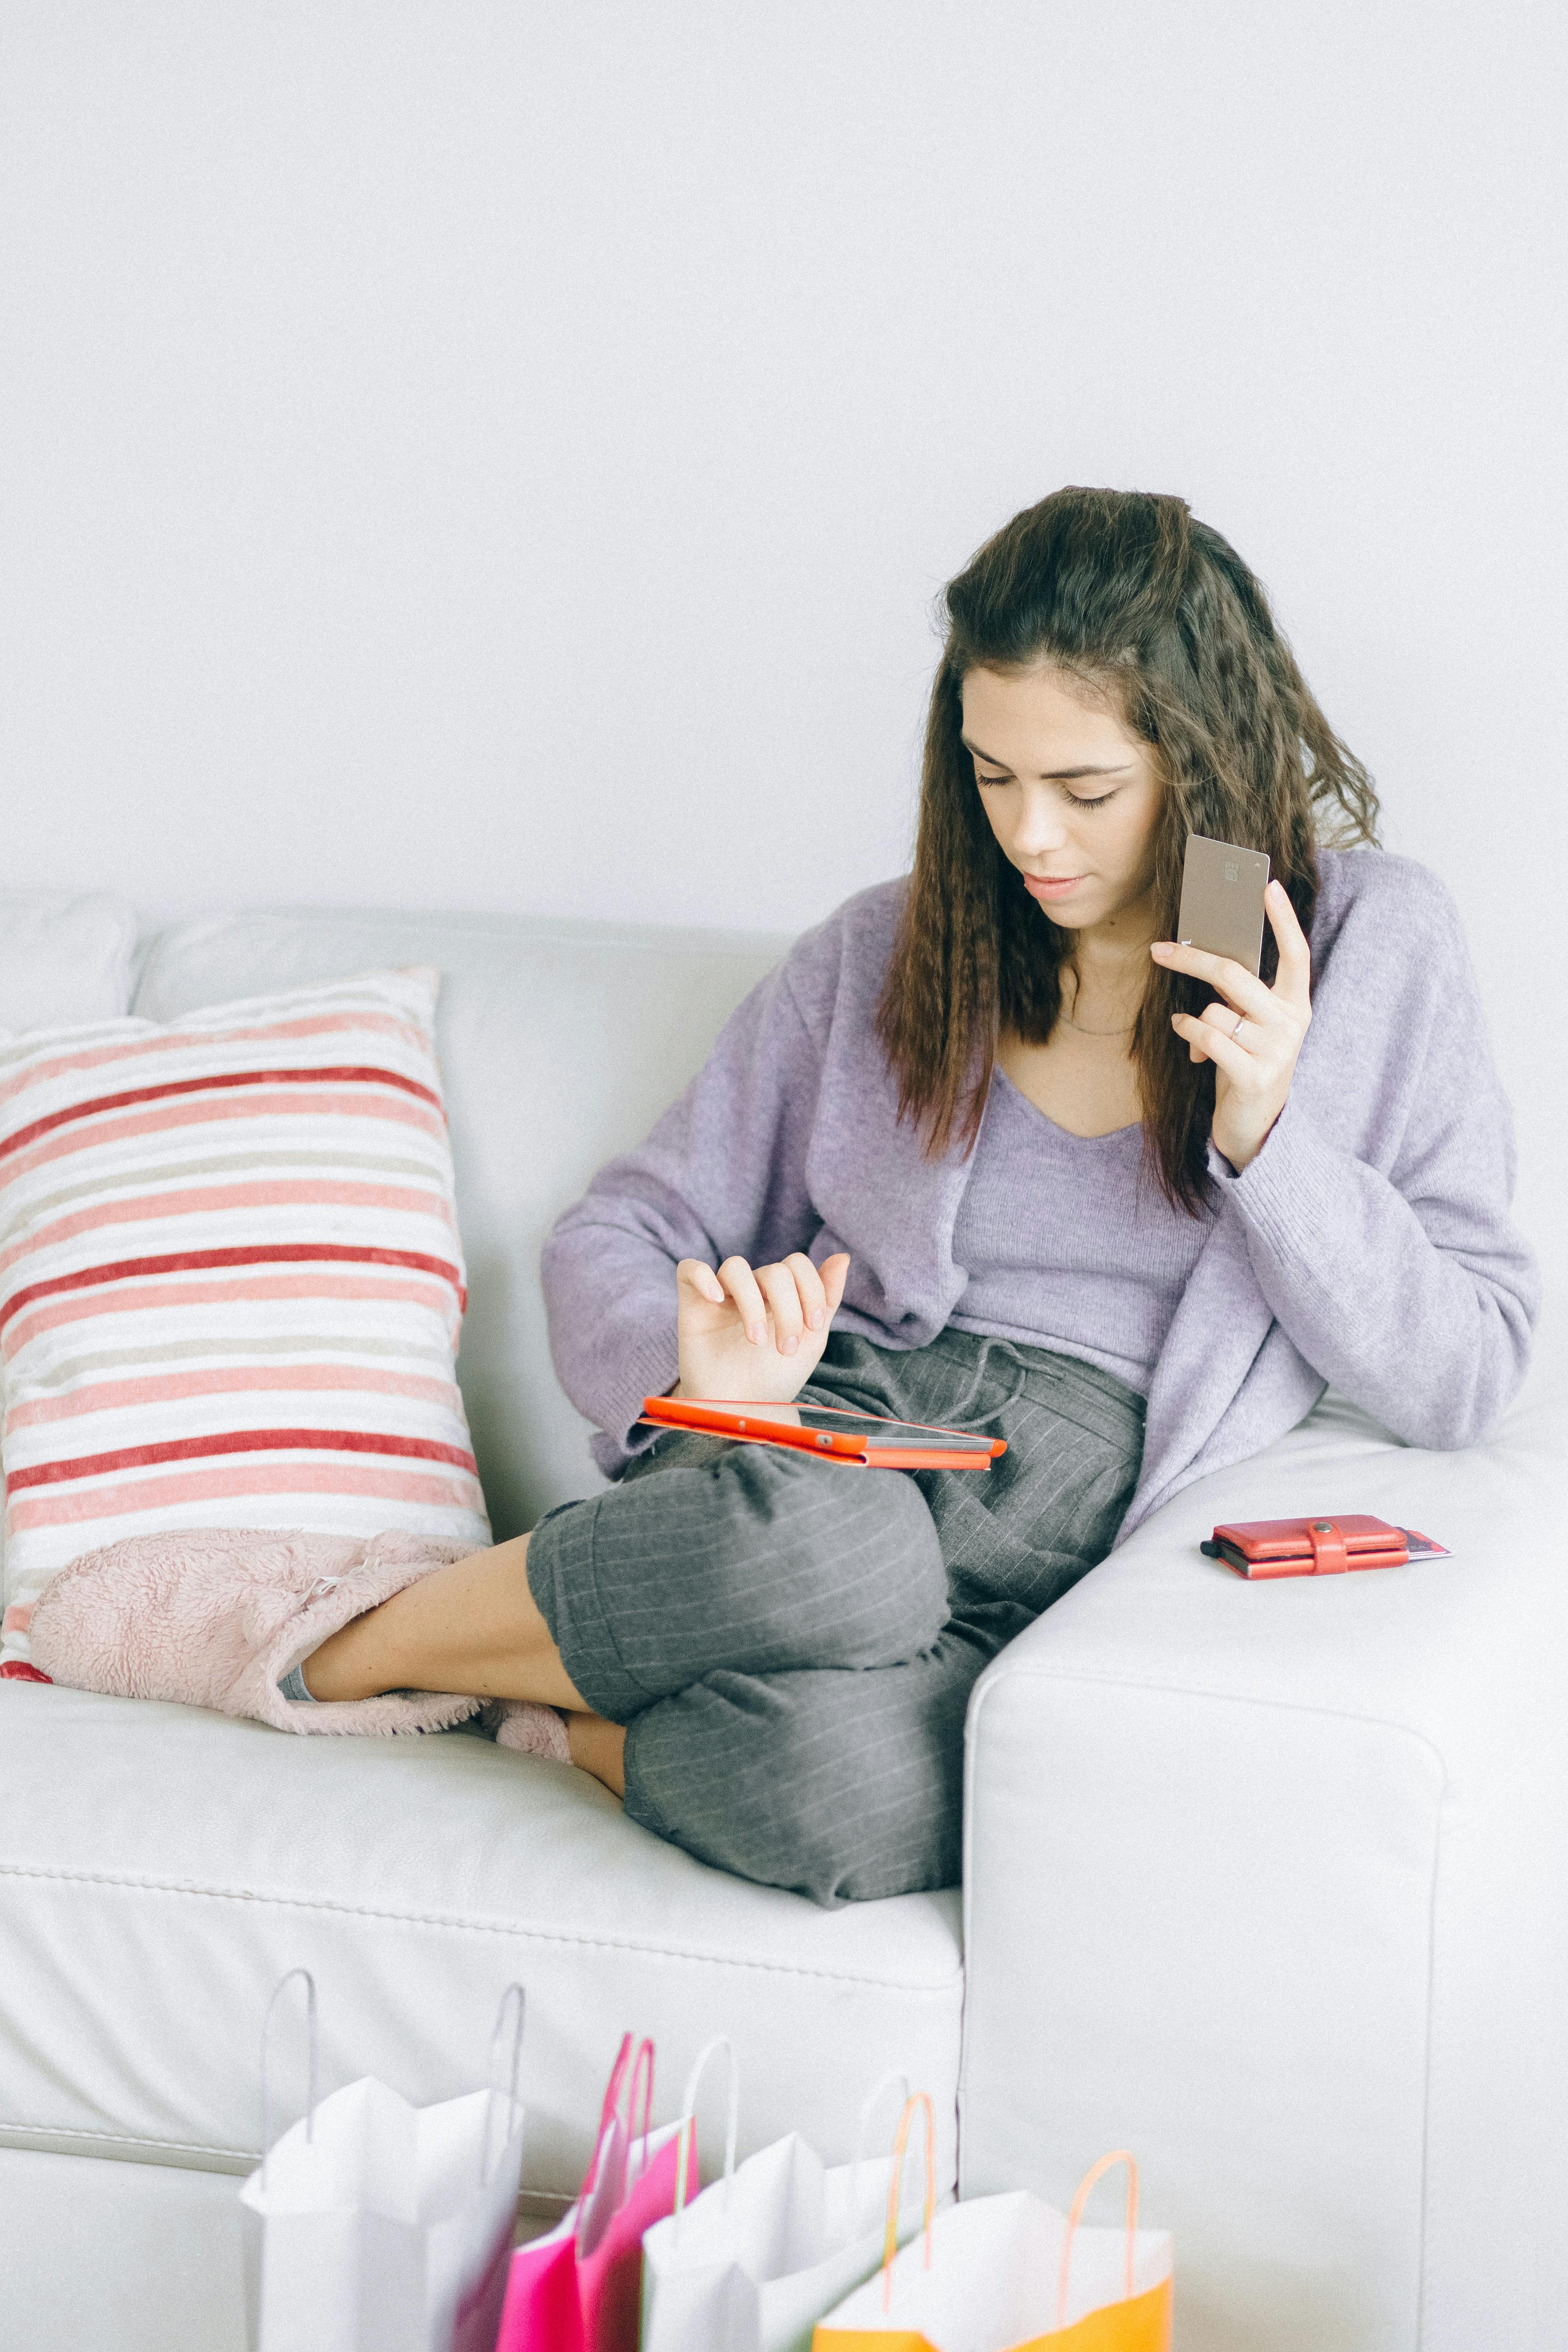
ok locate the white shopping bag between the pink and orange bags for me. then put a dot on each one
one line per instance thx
(753, 2261)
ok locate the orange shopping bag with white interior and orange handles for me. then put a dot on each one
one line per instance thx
(1010, 2276)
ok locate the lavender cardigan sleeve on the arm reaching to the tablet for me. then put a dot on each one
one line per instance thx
(721, 1172)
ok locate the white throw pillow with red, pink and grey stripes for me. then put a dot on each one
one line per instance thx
(232, 1283)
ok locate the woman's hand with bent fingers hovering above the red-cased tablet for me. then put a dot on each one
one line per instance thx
(753, 1335)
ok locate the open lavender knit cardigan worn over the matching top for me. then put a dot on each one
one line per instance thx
(1369, 1241)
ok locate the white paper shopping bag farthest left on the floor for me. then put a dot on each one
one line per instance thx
(375, 2226)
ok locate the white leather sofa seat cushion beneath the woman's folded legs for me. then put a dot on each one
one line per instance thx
(161, 1869)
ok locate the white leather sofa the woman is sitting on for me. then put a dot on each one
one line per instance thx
(1261, 1880)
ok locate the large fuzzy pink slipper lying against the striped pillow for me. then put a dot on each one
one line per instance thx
(217, 1617)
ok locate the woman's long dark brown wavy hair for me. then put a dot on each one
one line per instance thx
(1155, 617)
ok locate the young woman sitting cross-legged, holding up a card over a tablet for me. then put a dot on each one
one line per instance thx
(991, 1149)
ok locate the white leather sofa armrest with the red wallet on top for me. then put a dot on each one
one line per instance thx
(1266, 1883)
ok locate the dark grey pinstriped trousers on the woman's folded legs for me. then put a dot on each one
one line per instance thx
(793, 1648)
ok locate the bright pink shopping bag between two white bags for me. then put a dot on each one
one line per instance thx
(579, 2290)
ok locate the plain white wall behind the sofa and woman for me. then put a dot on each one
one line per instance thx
(504, 457)
